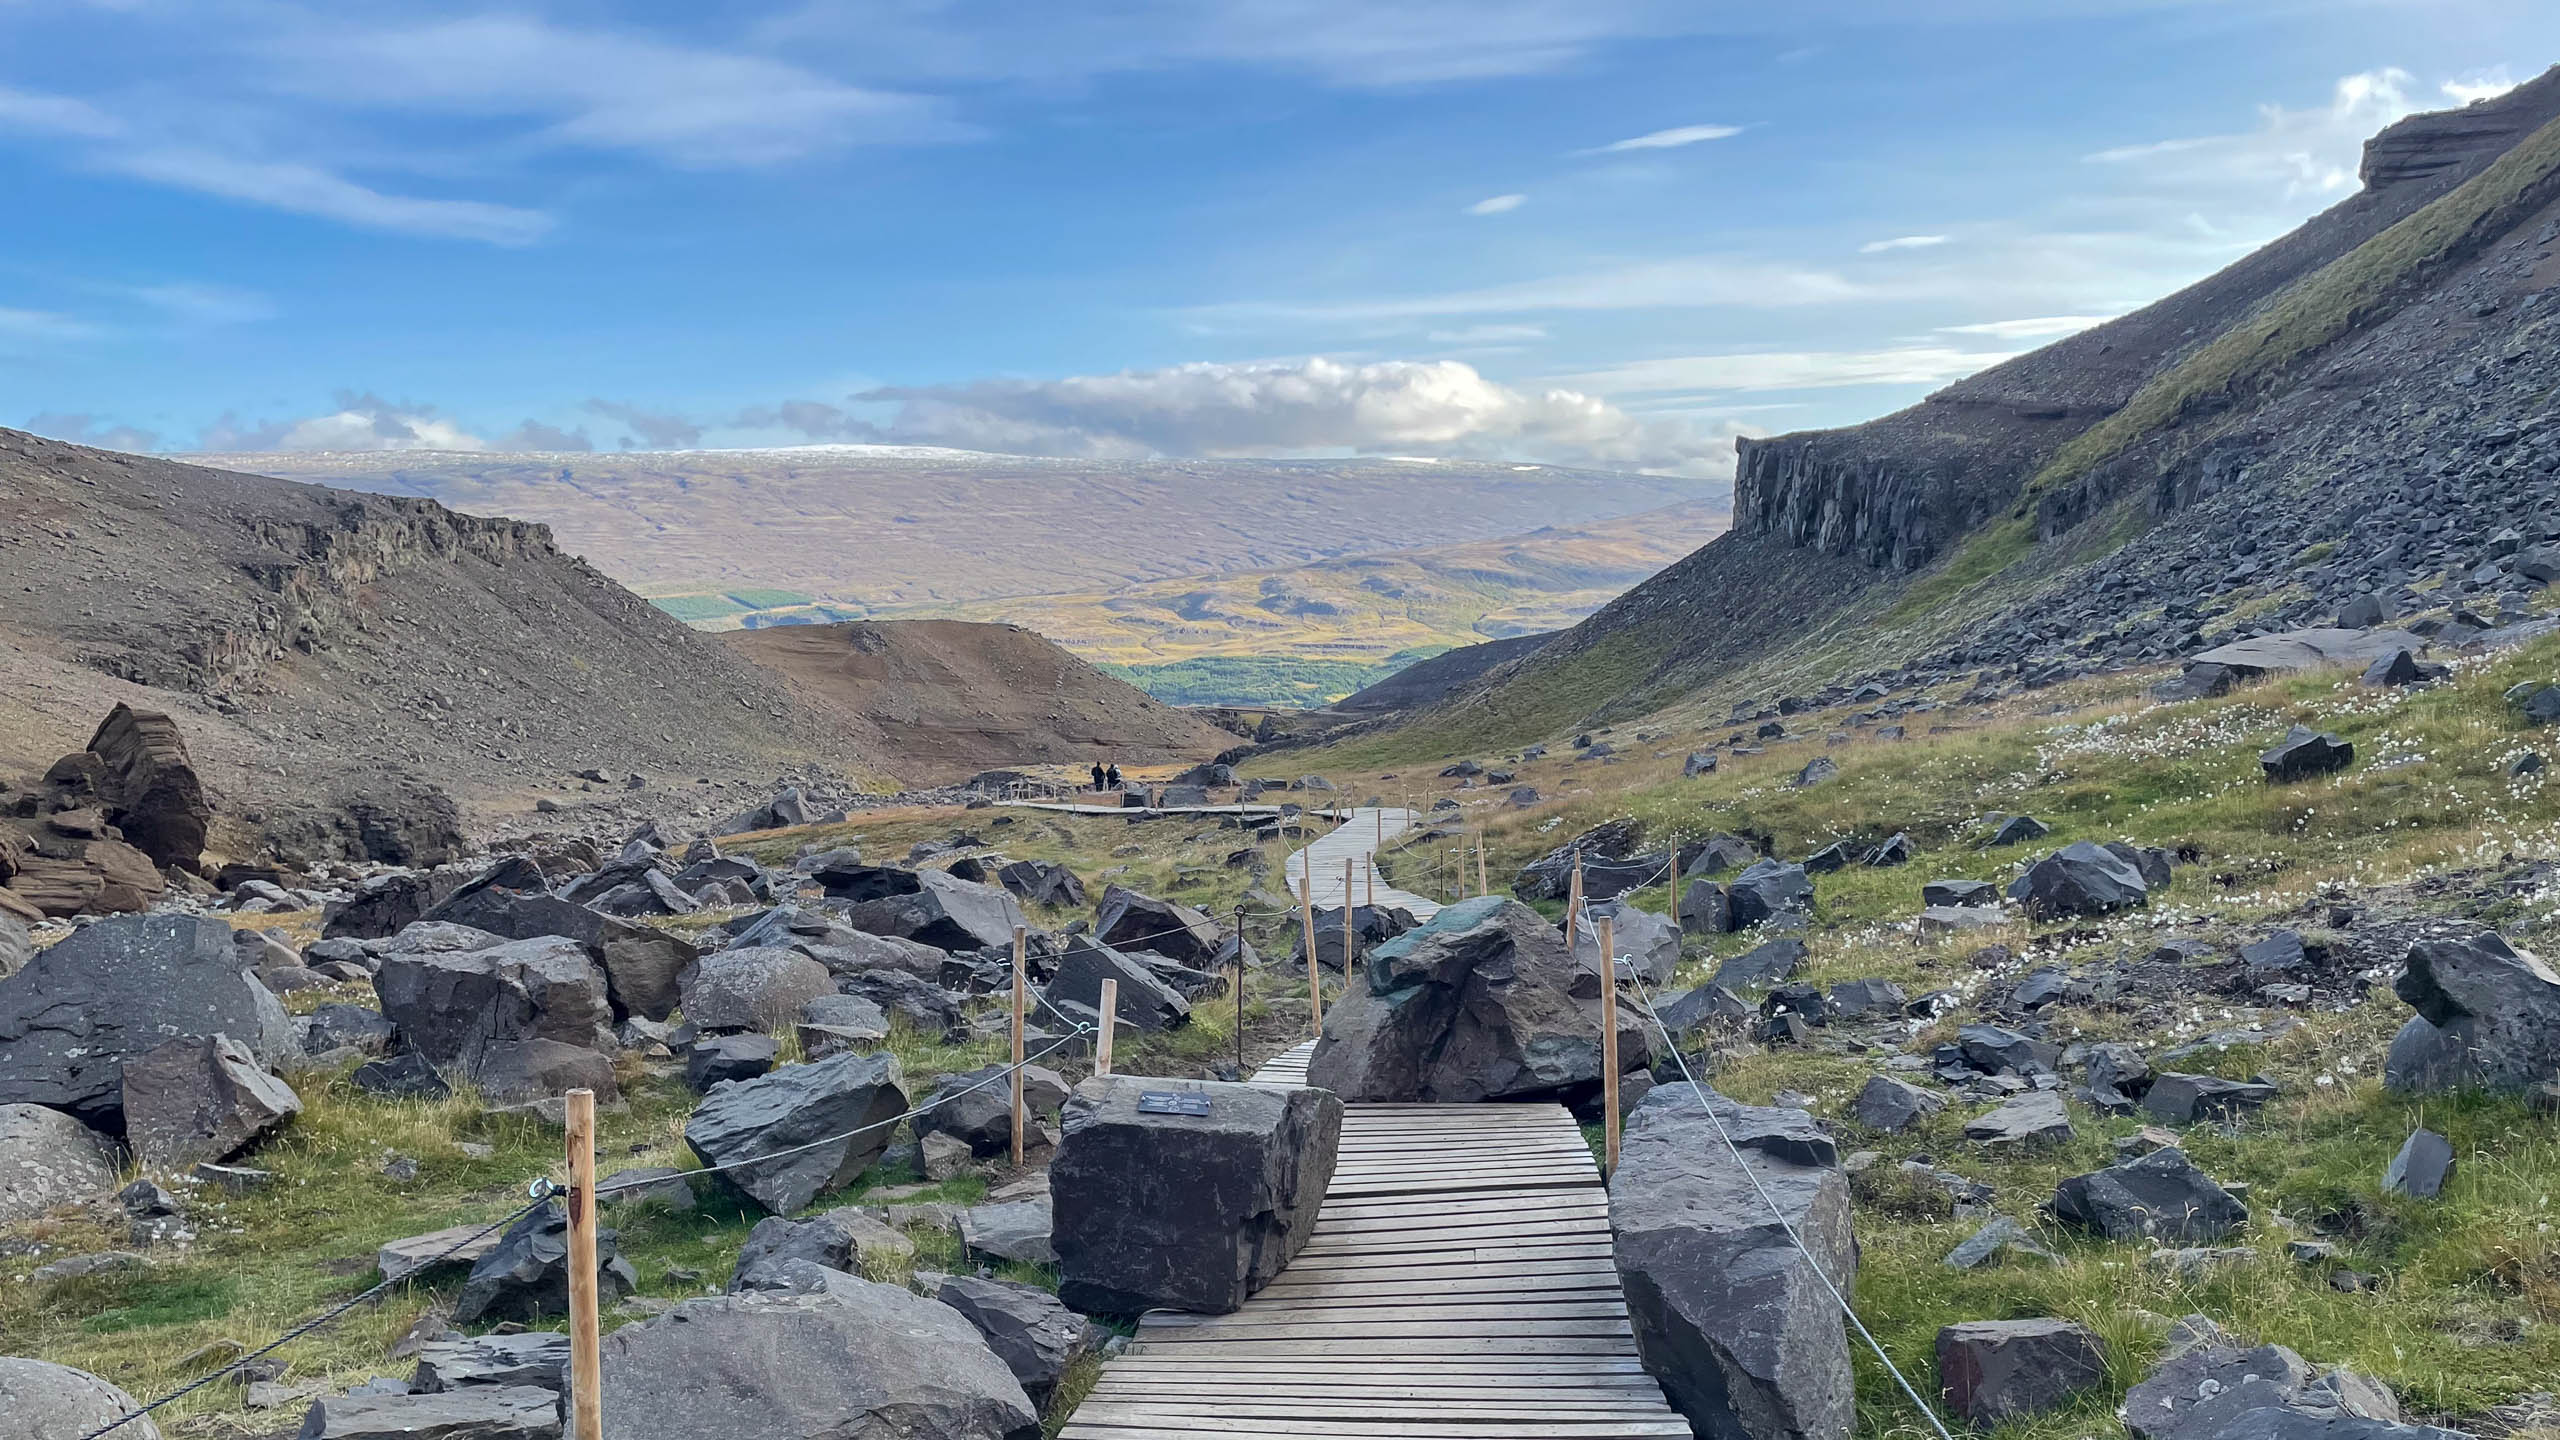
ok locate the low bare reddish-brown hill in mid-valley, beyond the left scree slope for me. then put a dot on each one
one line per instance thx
(951, 698)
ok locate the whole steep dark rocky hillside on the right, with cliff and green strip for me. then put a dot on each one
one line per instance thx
(2354, 411)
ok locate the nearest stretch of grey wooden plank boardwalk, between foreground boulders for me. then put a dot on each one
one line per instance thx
(1458, 1288)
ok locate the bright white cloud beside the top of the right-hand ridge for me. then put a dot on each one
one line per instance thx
(2303, 152)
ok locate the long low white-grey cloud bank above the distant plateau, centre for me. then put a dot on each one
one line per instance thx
(1292, 409)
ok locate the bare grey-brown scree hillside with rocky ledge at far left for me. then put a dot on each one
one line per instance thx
(324, 650)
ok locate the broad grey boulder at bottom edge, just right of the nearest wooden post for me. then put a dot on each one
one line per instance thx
(844, 1359)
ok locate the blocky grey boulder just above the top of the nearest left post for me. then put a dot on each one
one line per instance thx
(462, 1008)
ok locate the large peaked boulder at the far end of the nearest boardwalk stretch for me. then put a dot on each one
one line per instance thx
(1481, 1003)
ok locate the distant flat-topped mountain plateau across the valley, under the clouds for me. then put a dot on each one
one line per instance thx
(1202, 580)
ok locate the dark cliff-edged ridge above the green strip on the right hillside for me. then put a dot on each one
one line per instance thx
(1901, 491)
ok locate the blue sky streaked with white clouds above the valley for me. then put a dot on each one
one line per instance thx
(1588, 232)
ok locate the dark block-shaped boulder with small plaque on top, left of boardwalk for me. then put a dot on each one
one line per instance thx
(1187, 1211)
